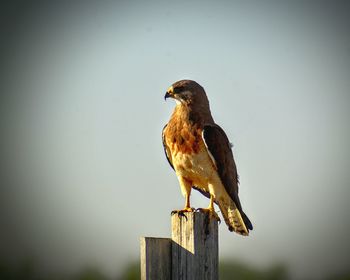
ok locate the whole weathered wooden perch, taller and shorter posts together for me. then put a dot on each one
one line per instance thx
(190, 254)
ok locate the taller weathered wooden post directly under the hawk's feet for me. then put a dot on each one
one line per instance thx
(194, 247)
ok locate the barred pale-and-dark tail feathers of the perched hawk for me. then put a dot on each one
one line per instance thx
(236, 221)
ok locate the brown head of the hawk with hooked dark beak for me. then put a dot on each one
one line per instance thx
(187, 92)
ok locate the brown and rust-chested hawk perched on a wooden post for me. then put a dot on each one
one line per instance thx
(200, 153)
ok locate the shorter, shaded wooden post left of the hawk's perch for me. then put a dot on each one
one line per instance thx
(155, 258)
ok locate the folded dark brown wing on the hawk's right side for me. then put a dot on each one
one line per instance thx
(219, 149)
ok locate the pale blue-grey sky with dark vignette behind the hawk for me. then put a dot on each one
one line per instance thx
(83, 173)
